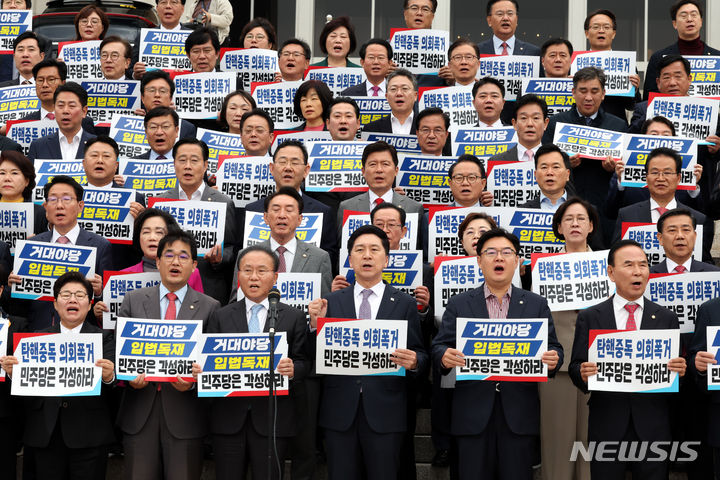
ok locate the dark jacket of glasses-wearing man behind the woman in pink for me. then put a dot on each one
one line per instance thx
(216, 278)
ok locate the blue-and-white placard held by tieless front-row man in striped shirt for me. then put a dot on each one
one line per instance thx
(502, 350)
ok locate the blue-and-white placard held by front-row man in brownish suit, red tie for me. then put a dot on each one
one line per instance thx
(161, 349)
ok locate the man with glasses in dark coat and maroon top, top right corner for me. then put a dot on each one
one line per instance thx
(687, 19)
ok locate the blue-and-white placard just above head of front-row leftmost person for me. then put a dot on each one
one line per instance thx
(39, 264)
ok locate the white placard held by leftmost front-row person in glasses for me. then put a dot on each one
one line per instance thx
(57, 365)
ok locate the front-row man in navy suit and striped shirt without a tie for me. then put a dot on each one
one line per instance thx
(496, 424)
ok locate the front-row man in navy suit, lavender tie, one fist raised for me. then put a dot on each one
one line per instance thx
(365, 417)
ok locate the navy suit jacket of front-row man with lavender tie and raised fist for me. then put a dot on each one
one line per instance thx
(384, 397)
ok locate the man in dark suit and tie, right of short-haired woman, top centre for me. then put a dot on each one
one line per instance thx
(375, 58)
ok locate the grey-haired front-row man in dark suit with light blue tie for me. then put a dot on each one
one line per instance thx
(239, 426)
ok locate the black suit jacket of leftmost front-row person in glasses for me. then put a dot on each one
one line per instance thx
(84, 421)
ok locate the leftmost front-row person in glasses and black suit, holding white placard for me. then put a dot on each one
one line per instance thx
(70, 435)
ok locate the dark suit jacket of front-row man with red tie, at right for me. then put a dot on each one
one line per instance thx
(612, 412)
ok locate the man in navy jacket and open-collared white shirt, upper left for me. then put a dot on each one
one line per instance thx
(68, 142)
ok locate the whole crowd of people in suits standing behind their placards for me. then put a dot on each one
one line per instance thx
(361, 426)
